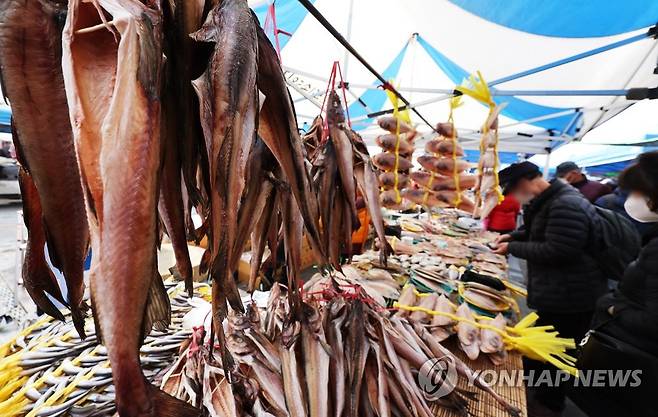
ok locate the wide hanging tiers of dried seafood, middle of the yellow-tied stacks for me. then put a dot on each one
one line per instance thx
(442, 182)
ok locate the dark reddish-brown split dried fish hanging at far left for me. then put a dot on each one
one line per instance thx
(31, 62)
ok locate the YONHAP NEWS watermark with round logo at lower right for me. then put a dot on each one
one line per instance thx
(438, 378)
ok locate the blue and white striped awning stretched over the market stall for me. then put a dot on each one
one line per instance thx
(561, 65)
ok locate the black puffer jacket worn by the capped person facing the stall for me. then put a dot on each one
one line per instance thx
(556, 242)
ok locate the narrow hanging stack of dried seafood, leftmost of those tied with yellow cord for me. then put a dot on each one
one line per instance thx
(395, 161)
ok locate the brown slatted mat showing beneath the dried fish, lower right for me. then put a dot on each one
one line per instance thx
(485, 406)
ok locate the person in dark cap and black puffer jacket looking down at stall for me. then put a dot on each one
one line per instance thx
(564, 281)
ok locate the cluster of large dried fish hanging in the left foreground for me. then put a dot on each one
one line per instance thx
(114, 89)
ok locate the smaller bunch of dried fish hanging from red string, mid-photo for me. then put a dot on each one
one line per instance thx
(341, 167)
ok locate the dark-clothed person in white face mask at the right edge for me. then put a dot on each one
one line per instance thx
(624, 333)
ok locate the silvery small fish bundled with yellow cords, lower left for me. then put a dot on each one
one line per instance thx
(48, 370)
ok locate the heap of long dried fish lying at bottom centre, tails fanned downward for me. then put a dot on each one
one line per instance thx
(332, 355)
